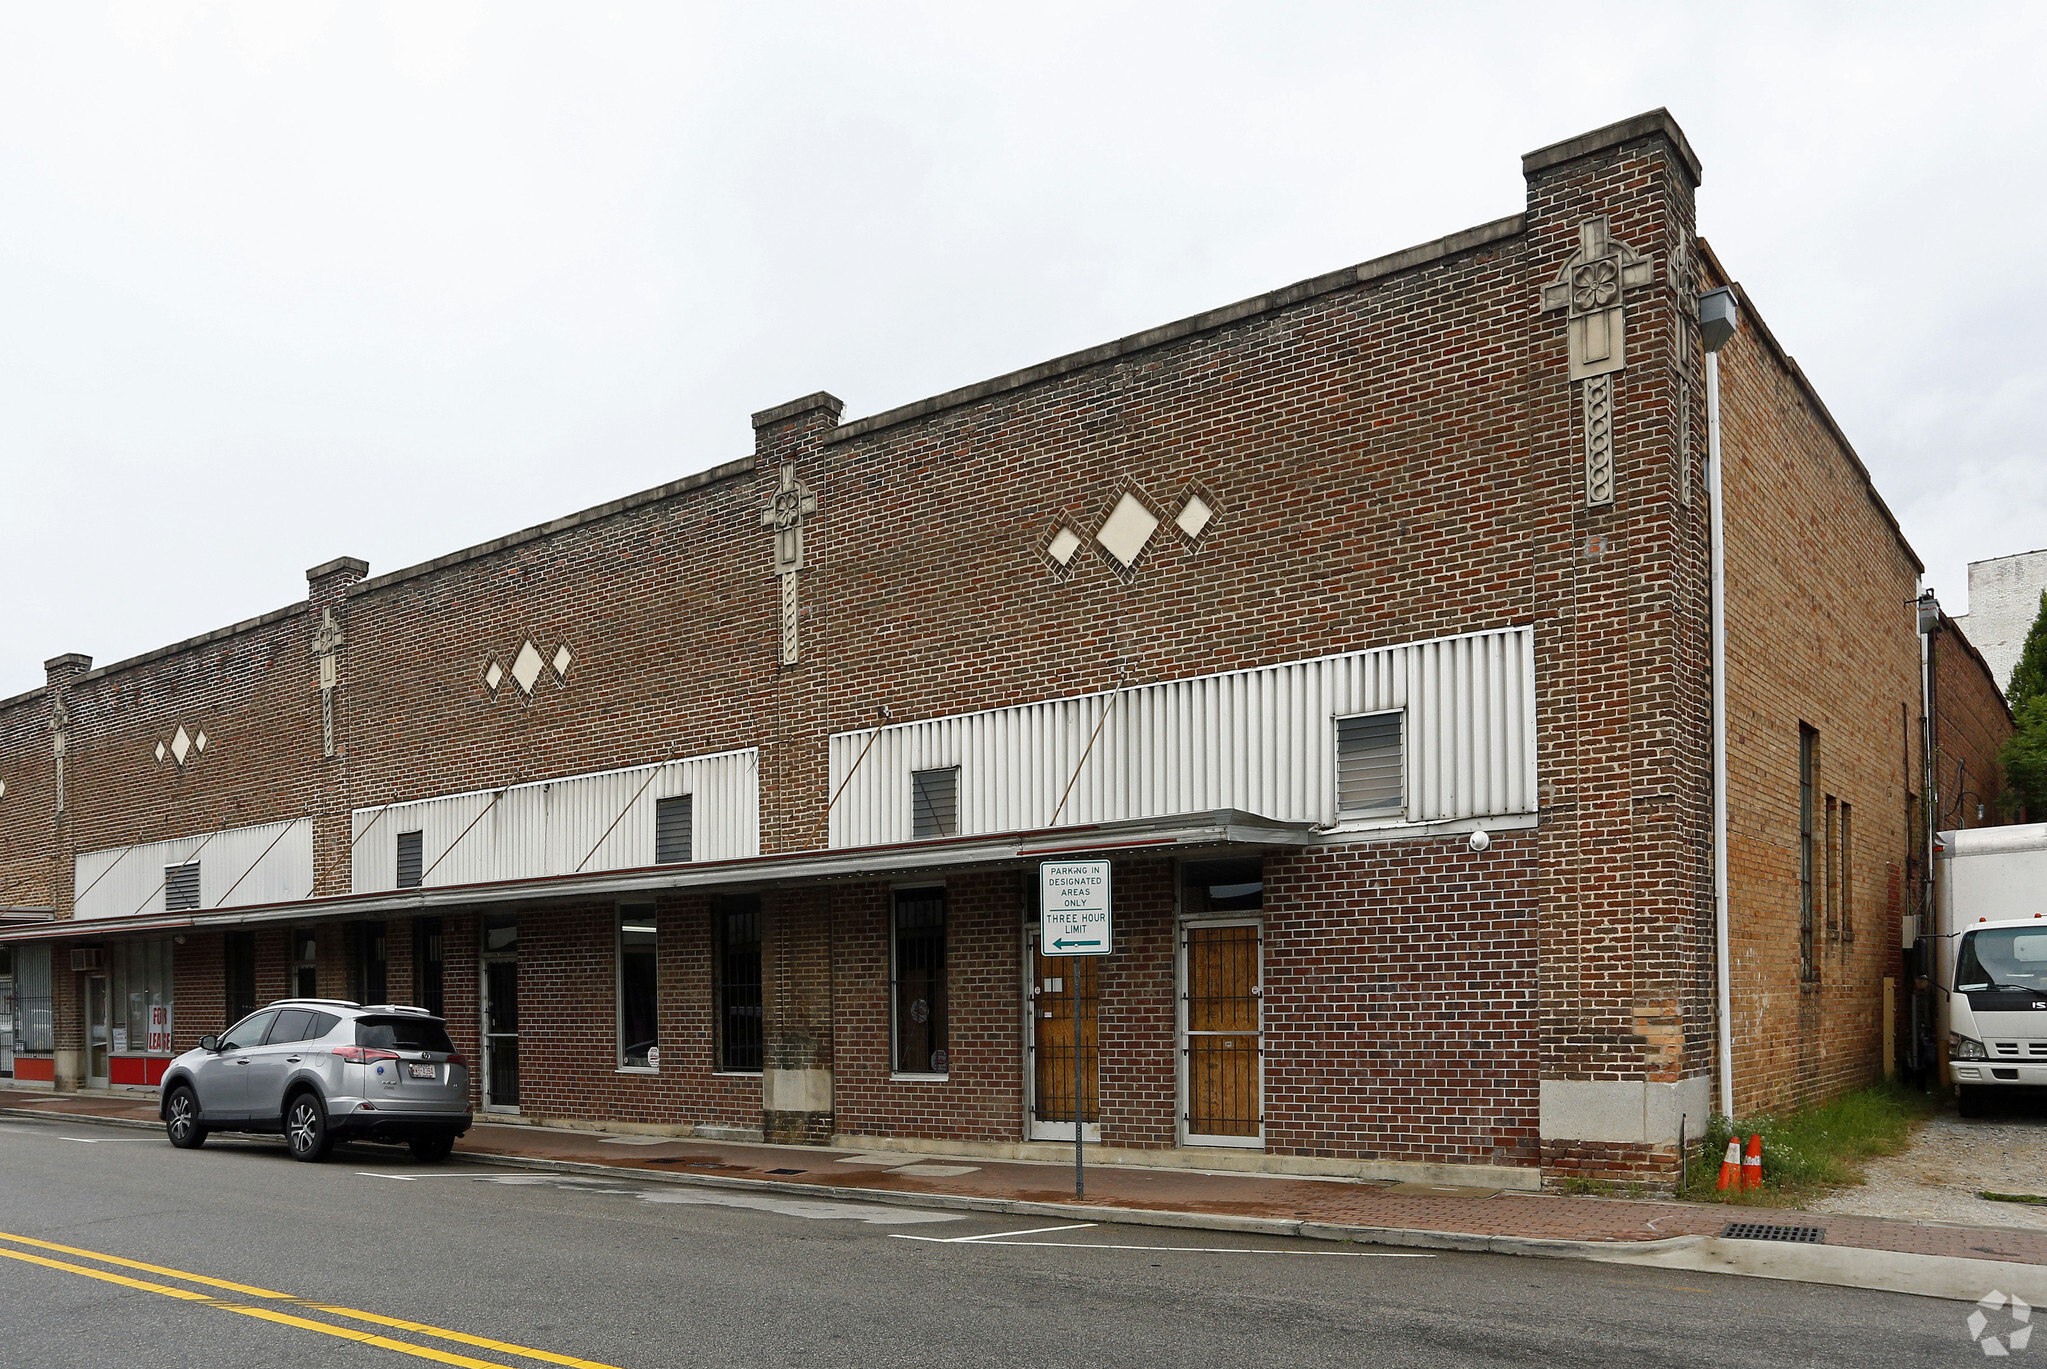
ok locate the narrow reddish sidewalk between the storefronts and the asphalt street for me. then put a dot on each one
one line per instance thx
(1405, 1215)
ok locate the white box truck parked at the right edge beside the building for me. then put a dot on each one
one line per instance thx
(1991, 959)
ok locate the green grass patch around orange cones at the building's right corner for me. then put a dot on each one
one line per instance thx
(1811, 1149)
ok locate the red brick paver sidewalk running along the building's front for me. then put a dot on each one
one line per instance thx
(1542, 1217)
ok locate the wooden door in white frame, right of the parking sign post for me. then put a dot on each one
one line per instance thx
(1223, 1032)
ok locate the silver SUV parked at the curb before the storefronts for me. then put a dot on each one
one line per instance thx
(322, 1071)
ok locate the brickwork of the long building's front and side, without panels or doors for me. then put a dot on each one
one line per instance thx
(1393, 453)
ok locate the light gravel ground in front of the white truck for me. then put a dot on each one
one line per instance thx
(1940, 1174)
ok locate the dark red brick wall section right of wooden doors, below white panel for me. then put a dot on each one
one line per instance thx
(1403, 1002)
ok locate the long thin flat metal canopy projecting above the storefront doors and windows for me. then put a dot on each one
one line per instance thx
(1221, 830)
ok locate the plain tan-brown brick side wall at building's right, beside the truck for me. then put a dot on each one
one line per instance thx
(1821, 633)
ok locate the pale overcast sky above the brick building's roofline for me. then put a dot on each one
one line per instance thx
(294, 281)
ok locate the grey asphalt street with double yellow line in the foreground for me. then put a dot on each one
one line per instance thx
(255, 1260)
